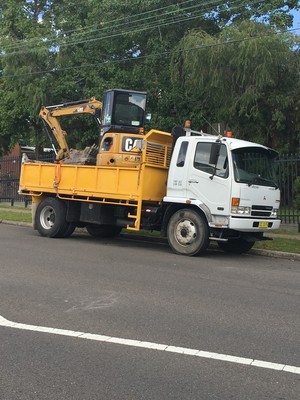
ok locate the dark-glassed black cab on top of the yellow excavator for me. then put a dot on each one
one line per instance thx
(123, 111)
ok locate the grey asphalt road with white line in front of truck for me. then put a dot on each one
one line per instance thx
(245, 307)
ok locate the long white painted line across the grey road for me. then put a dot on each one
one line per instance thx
(154, 346)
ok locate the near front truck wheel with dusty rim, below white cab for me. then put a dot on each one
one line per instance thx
(187, 232)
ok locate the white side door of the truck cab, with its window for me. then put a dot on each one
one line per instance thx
(210, 183)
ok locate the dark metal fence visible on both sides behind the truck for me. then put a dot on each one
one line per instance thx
(287, 170)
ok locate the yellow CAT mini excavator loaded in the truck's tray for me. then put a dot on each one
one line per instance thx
(120, 118)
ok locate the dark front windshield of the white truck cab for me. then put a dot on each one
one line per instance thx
(254, 166)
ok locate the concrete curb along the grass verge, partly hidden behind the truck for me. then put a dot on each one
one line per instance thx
(261, 252)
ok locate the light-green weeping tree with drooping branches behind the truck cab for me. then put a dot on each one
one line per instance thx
(245, 77)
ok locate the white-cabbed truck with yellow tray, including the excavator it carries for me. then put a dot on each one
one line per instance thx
(190, 186)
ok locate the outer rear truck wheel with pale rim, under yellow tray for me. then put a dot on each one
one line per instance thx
(50, 218)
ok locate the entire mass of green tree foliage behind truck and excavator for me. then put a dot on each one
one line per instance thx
(54, 51)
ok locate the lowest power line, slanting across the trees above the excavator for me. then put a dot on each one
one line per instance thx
(166, 53)
